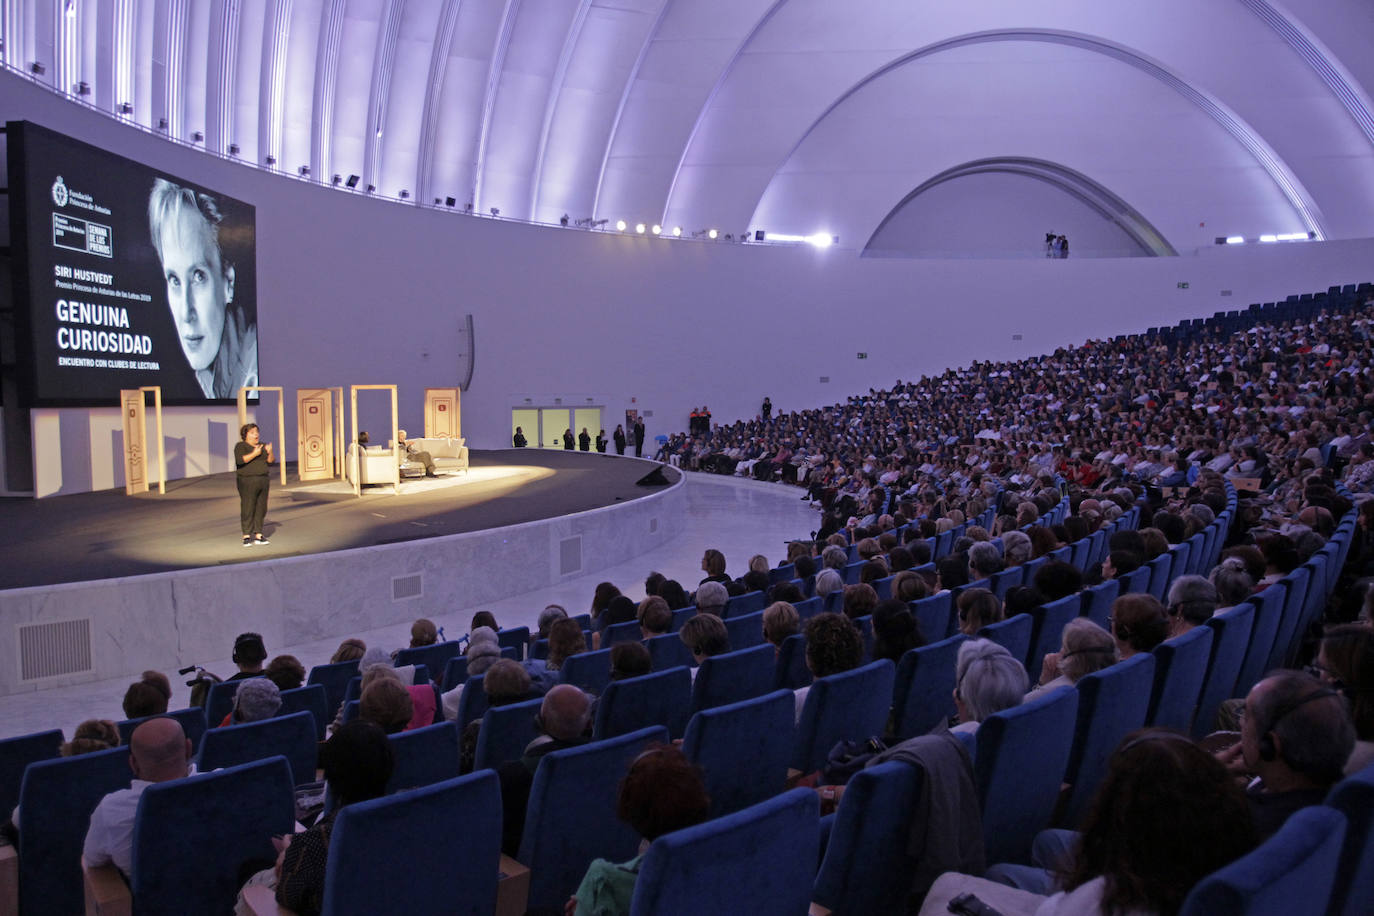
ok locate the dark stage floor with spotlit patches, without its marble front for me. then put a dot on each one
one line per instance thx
(108, 535)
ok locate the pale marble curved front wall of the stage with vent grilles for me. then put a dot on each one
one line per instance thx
(116, 627)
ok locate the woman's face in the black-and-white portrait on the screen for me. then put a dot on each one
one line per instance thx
(199, 288)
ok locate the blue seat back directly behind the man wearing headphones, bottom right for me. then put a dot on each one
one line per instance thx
(1292, 873)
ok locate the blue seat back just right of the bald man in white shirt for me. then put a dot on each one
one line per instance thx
(193, 837)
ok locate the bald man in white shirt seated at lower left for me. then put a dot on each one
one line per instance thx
(159, 752)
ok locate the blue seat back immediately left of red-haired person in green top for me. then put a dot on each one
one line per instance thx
(571, 818)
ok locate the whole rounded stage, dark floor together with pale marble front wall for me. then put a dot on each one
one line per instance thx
(104, 584)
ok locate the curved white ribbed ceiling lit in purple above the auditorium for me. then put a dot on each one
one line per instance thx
(1226, 117)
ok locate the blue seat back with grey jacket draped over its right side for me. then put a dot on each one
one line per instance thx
(868, 869)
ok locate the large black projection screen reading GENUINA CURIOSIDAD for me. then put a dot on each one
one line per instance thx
(127, 278)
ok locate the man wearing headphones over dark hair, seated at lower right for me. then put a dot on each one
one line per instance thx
(1295, 740)
